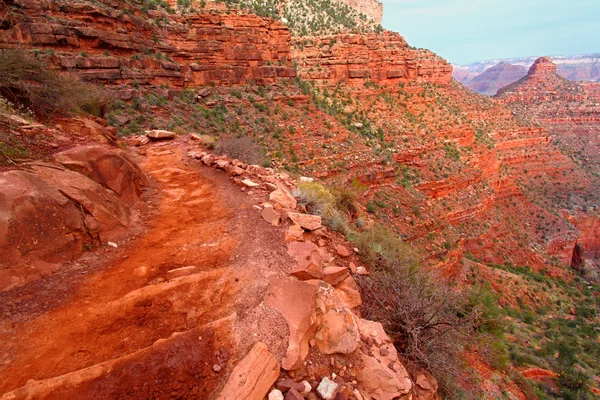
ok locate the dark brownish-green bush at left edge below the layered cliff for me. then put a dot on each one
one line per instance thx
(25, 80)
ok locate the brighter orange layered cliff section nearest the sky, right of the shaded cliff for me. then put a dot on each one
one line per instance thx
(355, 59)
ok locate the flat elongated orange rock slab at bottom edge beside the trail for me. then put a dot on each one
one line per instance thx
(253, 376)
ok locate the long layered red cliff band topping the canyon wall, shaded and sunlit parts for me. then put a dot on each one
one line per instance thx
(205, 48)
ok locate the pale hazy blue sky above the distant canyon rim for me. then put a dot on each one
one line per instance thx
(463, 31)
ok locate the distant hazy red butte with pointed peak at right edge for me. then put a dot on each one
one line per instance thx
(571, 114)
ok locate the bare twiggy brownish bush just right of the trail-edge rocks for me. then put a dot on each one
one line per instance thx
(432, 323)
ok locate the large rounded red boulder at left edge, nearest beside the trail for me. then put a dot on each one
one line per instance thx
(47, 215)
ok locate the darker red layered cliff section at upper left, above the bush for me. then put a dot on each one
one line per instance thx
(102, 42)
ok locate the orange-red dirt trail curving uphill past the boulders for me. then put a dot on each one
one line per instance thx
(155, 320)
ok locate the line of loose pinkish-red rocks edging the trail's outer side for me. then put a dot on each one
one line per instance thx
(317, 305)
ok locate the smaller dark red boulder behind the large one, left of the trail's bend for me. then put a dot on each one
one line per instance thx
(111, 169)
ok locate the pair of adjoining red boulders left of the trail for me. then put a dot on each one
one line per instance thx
(90, 191)
